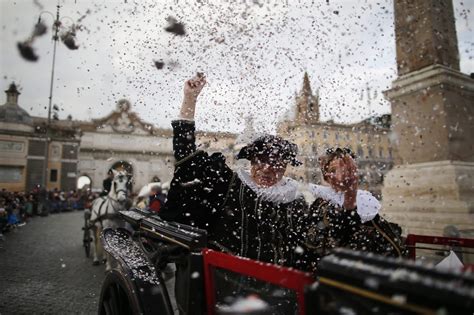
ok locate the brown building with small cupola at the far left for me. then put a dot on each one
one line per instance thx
(23, 146)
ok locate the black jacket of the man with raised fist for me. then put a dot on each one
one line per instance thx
(206, 193)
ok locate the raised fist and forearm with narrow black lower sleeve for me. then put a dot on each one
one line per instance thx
(184, 141)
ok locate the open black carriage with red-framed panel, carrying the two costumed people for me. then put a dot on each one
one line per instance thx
(210, 282)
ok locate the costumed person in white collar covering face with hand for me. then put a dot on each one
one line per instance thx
(343, 215)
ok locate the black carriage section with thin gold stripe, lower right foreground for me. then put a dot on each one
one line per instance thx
(364, 283)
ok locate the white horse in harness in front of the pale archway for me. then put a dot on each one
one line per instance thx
(105, 213)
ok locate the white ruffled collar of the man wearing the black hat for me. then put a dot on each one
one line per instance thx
(282, 192)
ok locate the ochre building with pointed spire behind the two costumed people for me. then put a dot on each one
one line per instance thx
(369, 140)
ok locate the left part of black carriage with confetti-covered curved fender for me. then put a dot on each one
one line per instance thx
(138, 273)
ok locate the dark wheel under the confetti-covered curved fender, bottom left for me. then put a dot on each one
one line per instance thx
(117, 297)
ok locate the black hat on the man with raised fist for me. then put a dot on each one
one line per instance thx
(273, 147)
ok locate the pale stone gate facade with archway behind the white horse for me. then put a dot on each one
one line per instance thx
(122, 139)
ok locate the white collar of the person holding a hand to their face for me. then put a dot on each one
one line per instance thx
(367, 205)
